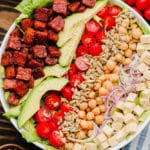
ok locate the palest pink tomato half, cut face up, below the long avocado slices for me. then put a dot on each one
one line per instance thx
(82, 63)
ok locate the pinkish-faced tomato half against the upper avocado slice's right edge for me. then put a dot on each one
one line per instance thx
(92, 27)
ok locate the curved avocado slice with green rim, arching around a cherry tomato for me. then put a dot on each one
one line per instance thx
(32, 103)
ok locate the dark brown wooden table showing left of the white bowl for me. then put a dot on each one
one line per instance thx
(8, 134)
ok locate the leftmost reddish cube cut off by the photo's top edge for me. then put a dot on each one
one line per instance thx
(60, 7)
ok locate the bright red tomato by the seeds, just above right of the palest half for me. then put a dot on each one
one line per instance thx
(95, 49)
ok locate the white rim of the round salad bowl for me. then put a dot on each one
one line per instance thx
(6, 106)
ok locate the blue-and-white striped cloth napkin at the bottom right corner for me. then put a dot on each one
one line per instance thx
(141, 142)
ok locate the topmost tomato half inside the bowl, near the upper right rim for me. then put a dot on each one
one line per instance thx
(114, 10)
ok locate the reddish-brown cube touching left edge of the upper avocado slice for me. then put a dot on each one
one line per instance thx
(57, 24)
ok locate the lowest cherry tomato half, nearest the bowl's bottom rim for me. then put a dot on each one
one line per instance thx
(57, 138)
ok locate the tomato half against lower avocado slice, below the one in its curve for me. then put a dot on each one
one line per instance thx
(43, 115)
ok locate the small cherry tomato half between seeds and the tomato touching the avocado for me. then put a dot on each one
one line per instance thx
(58, 117)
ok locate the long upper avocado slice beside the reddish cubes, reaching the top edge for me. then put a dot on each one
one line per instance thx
(75, 19)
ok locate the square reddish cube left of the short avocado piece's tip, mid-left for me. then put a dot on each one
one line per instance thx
(24, 73)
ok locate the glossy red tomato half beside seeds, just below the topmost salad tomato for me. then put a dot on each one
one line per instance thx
(109, 22)
